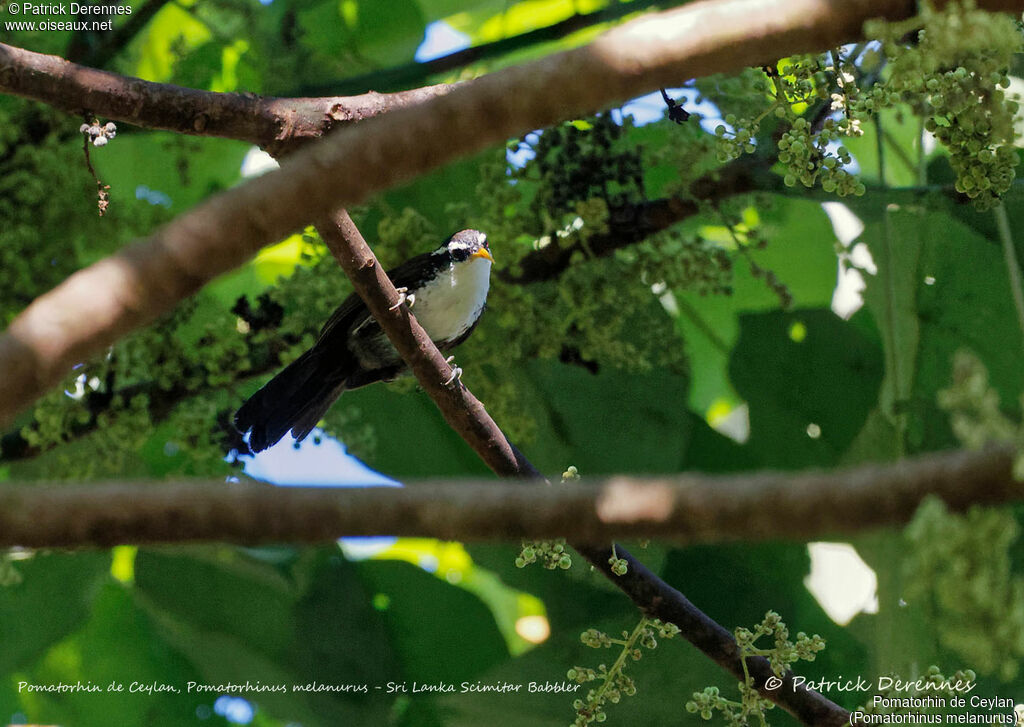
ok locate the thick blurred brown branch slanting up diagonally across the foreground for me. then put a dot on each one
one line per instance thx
(95, 308)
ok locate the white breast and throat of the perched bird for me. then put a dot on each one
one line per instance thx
(454, 300)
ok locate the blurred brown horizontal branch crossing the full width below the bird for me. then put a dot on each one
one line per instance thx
(685, 509)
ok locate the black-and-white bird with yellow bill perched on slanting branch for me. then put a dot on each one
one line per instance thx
(449, 289)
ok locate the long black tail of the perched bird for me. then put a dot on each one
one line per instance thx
(295, 400)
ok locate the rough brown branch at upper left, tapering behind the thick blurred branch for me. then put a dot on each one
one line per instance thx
(261, 120)
